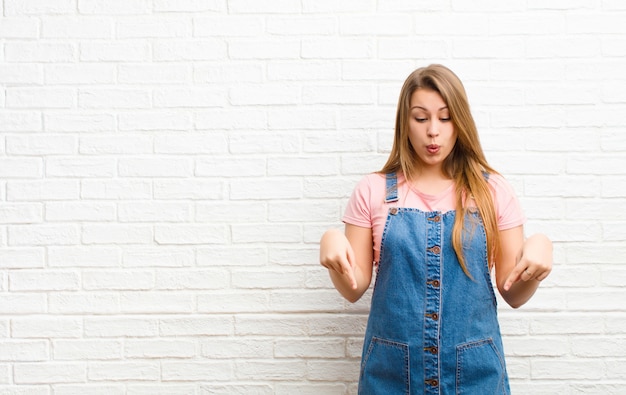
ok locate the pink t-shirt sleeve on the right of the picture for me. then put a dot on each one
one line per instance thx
(508, 208)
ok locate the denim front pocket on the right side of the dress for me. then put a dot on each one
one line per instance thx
(480, 369)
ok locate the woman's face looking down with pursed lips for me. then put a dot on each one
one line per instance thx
(431, 131)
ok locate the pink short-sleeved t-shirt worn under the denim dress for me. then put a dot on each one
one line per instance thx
(367, 207)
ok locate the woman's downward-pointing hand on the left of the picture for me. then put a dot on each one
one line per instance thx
(336, 254)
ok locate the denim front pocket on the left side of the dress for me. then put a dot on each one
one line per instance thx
(385, 368)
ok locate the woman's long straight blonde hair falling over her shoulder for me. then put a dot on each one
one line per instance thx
(466, 164)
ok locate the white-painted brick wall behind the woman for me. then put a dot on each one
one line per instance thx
(168, 166)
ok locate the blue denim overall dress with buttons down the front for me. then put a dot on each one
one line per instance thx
(431, 329)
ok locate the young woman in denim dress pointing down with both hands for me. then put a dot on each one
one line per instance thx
(435, 222)
